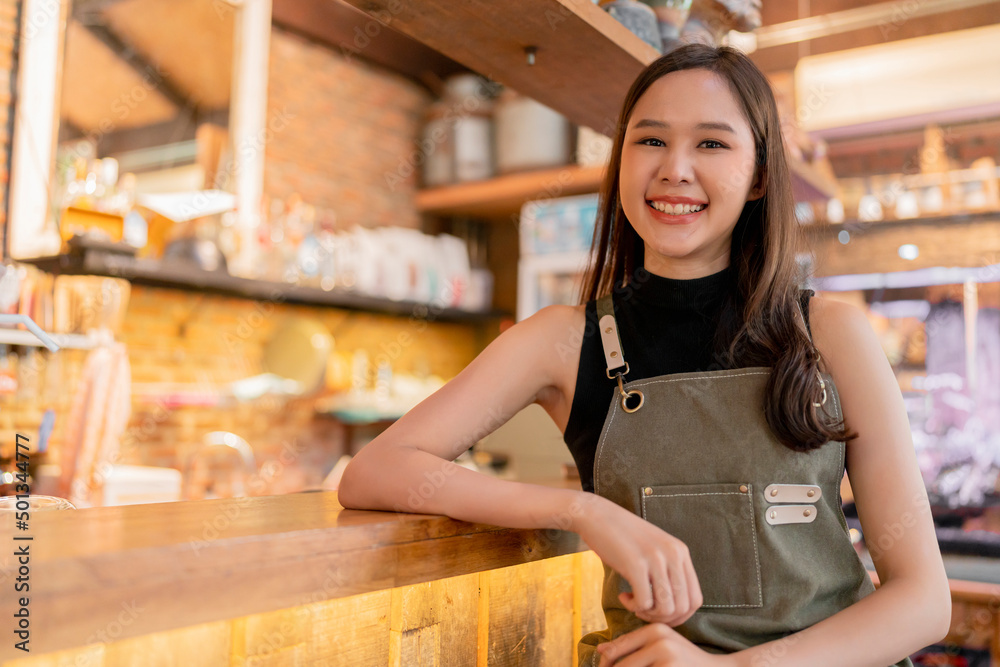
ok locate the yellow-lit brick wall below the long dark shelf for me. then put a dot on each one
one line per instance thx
(194, 344)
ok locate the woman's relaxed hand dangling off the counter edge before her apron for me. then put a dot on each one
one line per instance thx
(656, 564)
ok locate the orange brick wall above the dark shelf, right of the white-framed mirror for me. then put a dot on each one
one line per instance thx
(342, 130)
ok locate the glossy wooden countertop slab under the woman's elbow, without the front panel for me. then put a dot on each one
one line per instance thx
(171, 565)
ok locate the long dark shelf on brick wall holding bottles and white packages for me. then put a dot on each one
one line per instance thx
(182, 276)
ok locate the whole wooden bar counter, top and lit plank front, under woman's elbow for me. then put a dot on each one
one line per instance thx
(101, 576)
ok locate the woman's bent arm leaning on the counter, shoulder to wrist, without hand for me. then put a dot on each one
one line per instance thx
(409, 467)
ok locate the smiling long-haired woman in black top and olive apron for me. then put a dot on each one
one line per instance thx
(710, 405)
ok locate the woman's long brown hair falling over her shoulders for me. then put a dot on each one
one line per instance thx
(763, 326)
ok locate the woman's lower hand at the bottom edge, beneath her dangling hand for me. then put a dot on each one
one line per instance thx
(656, 645)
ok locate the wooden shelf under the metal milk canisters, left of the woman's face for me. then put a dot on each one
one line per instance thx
(503, 196)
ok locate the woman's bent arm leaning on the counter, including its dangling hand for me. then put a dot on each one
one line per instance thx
(409, 468)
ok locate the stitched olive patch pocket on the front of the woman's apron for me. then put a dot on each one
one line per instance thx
(716, 522)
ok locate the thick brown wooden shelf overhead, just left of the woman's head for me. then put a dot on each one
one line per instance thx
(585, 60)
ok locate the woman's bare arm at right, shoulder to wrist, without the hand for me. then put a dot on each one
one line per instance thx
(912, 607)
